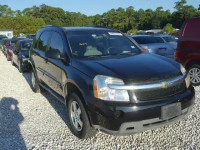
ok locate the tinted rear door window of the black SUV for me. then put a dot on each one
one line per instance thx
(43, 40)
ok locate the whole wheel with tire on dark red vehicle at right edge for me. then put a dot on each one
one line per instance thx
(194, 74)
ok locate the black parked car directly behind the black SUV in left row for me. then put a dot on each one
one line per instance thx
(21, 54)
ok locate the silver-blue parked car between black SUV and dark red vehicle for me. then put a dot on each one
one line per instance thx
(155, 45)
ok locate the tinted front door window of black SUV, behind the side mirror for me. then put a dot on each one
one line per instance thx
(56, 42)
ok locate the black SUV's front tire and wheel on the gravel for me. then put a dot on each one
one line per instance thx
(86, 131)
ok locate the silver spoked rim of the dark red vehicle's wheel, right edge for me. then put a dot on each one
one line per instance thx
(194, 75)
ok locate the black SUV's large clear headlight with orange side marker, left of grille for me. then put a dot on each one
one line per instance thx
(102, 90)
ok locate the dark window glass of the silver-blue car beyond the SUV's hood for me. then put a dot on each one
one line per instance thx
(148, 39)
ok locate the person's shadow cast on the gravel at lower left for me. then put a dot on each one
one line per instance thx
(10, 118)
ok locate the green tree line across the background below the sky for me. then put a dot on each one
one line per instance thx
(129, 20)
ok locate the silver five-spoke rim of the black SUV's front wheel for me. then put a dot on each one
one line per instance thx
(76, 116)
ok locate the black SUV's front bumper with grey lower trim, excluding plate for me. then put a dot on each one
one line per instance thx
(123, 119)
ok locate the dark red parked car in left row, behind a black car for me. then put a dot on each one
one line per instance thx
(10, 46)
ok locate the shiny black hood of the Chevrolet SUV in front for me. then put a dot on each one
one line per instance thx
(143, 67)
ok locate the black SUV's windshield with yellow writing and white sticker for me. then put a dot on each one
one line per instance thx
(100, 43)
